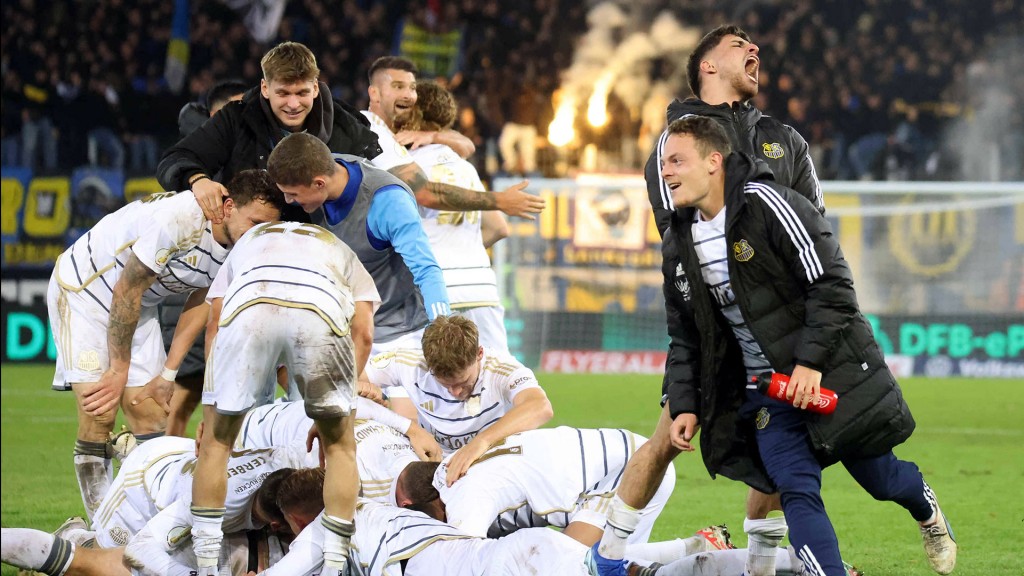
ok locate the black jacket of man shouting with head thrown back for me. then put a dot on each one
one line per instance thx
(777, 145)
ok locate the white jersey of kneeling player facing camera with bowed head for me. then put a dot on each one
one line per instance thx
(454, 423)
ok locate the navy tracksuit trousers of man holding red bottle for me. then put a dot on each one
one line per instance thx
(786, 448)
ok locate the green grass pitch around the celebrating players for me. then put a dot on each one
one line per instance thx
(969, 443)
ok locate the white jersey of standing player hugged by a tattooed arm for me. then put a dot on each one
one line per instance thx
(455, 237)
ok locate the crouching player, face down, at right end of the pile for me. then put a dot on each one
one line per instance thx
(566, 476)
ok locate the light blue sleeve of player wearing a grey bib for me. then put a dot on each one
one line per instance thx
(395, 220)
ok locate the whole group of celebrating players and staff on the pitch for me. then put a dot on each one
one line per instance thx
(410, 441)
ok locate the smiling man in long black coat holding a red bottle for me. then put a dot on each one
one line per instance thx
(754, 275)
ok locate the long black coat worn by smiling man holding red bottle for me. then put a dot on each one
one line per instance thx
(795, 292)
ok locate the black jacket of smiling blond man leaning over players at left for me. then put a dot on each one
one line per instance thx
(242, 135)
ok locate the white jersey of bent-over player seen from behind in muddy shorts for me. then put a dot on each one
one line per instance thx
(297, 266)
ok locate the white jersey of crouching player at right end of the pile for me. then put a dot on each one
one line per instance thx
(552, 471)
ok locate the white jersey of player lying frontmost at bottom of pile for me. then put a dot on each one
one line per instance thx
(387, 536)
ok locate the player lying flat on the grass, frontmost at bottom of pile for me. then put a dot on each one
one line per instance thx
(395, 542)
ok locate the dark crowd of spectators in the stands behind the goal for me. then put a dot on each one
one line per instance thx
(875, 87)
